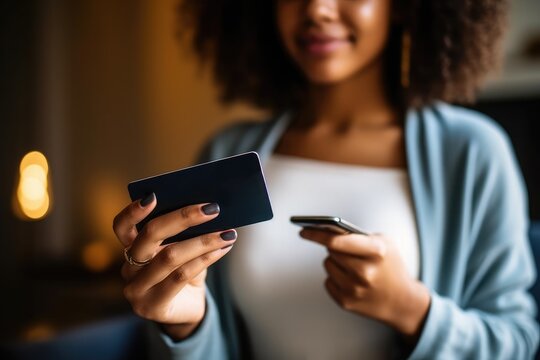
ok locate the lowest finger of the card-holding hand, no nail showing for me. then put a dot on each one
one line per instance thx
(165, 291)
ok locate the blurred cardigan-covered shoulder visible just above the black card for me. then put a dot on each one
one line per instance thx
(240, 136)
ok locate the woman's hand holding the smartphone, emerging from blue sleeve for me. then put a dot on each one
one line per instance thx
(367, 276)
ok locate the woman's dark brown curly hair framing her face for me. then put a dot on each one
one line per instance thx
(454, 45)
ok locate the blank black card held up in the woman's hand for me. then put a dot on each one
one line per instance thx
(236, 183)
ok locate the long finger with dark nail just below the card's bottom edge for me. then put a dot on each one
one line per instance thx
(177, 254)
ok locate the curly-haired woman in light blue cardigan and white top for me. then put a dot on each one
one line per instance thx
(360, 131)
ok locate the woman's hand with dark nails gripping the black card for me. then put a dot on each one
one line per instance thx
(170, 289)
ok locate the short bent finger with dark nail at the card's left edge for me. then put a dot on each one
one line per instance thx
(124, 223)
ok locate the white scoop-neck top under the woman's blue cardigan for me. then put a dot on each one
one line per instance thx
(277, 278)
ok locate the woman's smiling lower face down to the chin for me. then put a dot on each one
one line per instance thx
(332, 40)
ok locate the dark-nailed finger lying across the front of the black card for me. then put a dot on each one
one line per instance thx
(148, 242)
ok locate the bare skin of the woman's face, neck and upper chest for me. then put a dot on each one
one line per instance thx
(347, 117)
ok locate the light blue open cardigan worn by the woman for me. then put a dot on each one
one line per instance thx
(471, 213)
